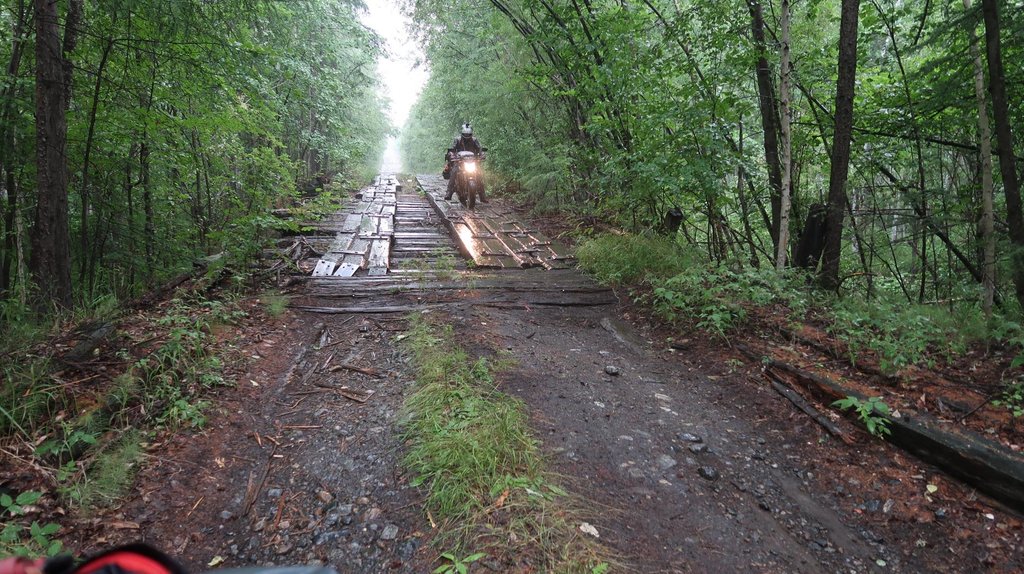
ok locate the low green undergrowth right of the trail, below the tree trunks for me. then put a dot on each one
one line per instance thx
(681, 287)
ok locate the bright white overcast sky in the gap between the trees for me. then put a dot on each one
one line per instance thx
(402, 79)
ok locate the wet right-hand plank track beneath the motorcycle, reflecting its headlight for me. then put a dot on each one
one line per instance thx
(492, 237)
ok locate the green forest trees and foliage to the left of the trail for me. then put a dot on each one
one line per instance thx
(183, 124)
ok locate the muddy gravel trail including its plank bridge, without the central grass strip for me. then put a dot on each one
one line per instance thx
(686, 459)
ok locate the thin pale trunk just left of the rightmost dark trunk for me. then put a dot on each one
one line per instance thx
(987, 230)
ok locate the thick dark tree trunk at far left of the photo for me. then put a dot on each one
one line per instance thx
(51, 262)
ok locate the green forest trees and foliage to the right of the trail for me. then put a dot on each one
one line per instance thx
(761, 124)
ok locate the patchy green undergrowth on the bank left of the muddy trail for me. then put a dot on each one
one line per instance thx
(88, 438)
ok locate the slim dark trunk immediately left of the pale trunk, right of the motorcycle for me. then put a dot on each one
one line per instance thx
(770, 118)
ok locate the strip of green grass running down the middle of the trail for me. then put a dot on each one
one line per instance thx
(471, 448)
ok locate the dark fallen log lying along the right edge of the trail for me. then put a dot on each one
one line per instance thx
(986, 465)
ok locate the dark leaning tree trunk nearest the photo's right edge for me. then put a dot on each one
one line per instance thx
(1004, 138)
